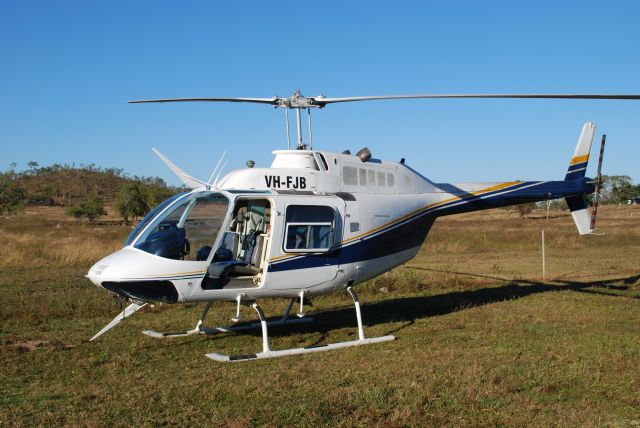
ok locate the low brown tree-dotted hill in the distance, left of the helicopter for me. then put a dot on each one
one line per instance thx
(66, 185)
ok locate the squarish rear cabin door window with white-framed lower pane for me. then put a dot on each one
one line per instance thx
(309, 228)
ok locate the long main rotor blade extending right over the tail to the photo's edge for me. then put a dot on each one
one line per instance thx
(321, 101)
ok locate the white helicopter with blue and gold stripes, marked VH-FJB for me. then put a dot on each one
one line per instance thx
(315, 222)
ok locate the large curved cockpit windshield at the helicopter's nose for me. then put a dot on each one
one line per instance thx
(187, 230)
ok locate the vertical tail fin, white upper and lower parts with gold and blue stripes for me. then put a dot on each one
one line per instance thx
(577, 169)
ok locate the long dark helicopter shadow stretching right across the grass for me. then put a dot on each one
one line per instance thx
(407, 310)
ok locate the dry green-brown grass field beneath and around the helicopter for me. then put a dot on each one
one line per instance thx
(482, 339)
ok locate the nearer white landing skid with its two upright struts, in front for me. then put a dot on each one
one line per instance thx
(268, 353)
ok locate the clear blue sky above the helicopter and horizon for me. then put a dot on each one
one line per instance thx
(69, 67)
